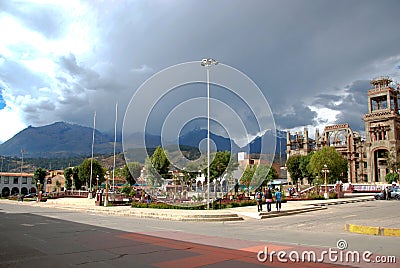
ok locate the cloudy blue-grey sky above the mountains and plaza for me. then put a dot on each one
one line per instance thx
(312, 60)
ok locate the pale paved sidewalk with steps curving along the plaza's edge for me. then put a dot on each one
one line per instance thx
(232, 214)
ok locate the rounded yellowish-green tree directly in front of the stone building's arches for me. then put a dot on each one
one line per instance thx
(334, 161)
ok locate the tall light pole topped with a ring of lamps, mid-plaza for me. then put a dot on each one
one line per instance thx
(207, 63)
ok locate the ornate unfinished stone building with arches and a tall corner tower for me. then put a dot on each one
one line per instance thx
(367, 158)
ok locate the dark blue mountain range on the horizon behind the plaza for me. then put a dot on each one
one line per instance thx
(61, 140)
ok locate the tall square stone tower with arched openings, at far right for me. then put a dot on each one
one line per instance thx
(382, 127)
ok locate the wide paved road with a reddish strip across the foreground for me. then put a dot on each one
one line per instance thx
(45, 237)
